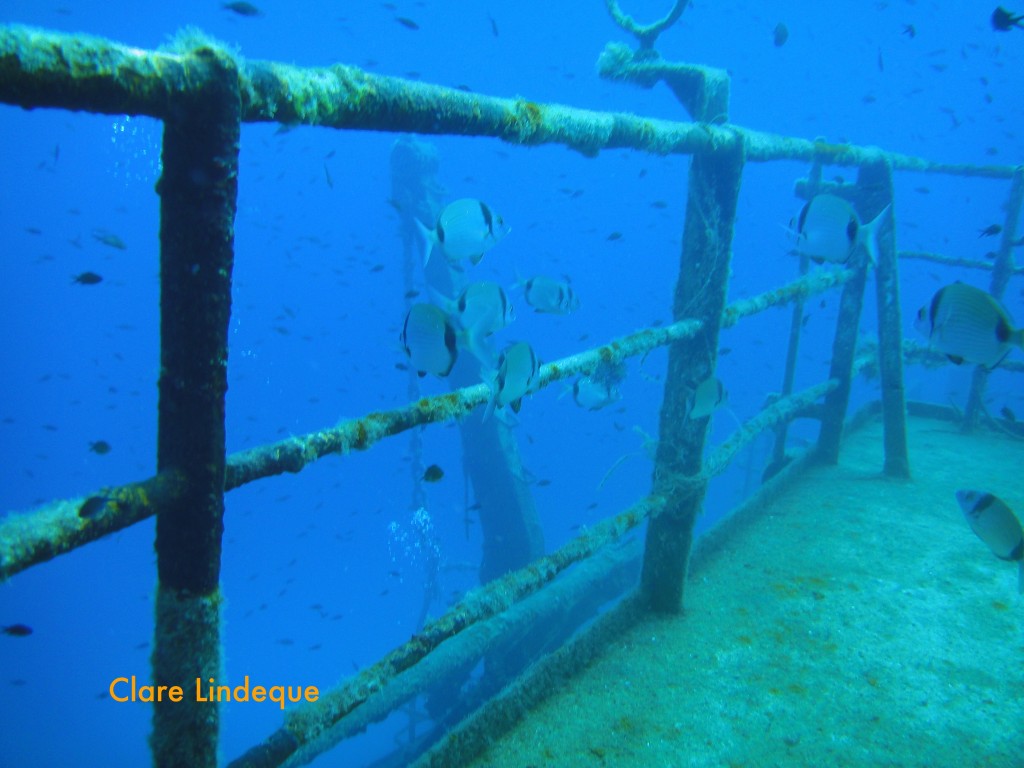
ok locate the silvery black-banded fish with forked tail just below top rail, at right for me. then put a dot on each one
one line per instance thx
(829, 230)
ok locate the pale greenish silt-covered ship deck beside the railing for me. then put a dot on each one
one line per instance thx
(857, 622)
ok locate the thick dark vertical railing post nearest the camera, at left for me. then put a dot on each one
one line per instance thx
(198, 194)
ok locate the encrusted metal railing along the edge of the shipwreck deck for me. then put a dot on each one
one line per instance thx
(203, 93)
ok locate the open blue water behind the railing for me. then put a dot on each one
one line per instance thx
(317, 576)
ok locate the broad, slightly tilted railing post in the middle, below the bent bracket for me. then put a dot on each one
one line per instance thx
(701, 292)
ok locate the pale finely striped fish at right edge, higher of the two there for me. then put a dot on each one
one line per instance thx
(968, 325)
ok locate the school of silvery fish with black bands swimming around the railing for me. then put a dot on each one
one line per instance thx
(964, 323)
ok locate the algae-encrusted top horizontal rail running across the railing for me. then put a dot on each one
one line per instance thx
(41, 68)
